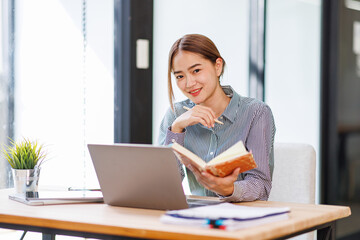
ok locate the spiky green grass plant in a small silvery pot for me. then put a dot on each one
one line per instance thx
(25, 158)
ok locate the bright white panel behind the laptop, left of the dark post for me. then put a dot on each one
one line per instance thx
(50, 84)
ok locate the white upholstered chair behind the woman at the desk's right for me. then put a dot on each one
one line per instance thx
(294, 176)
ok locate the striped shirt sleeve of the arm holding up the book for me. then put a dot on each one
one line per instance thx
(256, 184)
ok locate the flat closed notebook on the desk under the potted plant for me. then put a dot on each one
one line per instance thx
(40, 198)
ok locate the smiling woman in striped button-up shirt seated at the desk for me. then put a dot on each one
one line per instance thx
(197, 66)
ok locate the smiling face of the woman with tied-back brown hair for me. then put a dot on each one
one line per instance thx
(196, 77)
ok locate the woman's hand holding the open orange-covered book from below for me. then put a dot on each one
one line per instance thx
(223, 186)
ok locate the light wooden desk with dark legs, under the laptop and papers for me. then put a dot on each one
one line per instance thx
(106, 222)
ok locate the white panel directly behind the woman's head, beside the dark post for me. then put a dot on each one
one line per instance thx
(224, 22)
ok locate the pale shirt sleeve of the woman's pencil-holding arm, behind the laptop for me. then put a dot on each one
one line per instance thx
(166, 136)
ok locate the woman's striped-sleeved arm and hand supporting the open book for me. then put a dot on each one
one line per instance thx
(256, 184)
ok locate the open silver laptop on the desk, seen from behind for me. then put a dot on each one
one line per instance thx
(140, 175)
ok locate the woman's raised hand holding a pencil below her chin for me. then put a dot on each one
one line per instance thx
(197, 114)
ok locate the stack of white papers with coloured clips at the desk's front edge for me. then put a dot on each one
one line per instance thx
(225, 216)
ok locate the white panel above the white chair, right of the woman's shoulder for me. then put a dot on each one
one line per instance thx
(293, 70)
